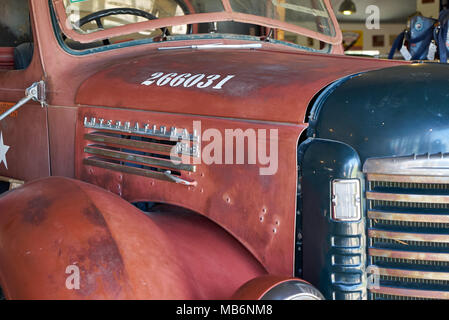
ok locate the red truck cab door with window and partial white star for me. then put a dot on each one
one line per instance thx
(24, 147)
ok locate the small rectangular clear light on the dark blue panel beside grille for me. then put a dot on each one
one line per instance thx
(346, 203)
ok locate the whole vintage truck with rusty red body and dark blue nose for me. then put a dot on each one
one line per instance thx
(219, 149)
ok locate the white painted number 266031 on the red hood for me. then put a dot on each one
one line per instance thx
(188, 80)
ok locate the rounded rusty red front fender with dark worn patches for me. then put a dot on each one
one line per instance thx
(122, 253)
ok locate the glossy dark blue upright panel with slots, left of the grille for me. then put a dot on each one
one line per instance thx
(333, 253)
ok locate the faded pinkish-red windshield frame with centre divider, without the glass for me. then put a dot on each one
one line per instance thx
(227, 15)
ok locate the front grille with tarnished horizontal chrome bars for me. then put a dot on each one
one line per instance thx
(408, 226)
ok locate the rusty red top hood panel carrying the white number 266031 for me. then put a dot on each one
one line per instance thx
(268, 85)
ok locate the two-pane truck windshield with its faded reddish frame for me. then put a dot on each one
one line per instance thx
(92, 19)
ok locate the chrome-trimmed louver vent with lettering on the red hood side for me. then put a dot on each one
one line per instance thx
(146, 151)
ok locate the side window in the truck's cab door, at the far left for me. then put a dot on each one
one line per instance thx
(16, 44)
